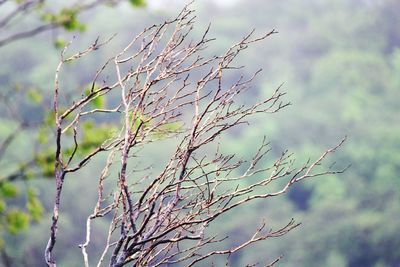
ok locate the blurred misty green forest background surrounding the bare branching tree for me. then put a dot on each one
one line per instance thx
(340, 64)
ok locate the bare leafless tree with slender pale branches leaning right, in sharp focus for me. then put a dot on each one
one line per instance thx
(162, 80)
